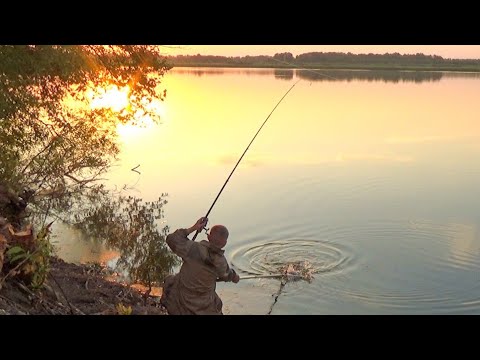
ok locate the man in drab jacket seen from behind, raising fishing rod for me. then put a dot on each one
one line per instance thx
(192, 290)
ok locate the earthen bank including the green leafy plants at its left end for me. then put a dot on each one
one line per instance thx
(34, 281)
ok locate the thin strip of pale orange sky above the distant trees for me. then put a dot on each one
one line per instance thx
(446, 51)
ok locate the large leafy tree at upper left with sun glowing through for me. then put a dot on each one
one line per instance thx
(55, 146)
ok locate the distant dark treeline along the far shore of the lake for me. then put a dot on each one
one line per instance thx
(331, 60)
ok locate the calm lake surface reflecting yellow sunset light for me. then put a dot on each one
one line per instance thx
(373, 178)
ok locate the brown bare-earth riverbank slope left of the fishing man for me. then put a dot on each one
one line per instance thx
(72, 289)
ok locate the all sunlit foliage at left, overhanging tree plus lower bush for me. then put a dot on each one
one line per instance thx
(56, 147)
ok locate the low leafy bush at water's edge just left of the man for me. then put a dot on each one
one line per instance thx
(128, 224)
